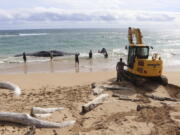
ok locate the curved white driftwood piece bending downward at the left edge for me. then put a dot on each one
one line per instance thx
(10, 86)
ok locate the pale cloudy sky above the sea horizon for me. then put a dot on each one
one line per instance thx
(38, 14)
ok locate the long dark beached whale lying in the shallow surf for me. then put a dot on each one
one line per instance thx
(54, 53)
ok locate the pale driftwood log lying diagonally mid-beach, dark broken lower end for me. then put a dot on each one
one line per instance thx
(94, 103)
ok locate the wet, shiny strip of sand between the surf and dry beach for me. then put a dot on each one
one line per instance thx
(65, 66)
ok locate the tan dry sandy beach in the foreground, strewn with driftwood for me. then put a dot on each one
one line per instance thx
(114, 116)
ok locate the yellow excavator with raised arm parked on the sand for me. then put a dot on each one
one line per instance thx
(140, 65)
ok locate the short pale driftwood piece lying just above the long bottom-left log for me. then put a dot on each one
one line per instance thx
(39, 110)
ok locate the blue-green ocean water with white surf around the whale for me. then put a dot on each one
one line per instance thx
(12, 42)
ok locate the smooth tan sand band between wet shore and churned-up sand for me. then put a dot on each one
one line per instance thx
(69, 79)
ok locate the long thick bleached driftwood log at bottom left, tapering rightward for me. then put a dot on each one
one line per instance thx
(26, 119)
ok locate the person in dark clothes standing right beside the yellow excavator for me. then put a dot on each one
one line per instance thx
(120, 70)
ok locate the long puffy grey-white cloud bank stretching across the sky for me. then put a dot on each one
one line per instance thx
(55, 14)
